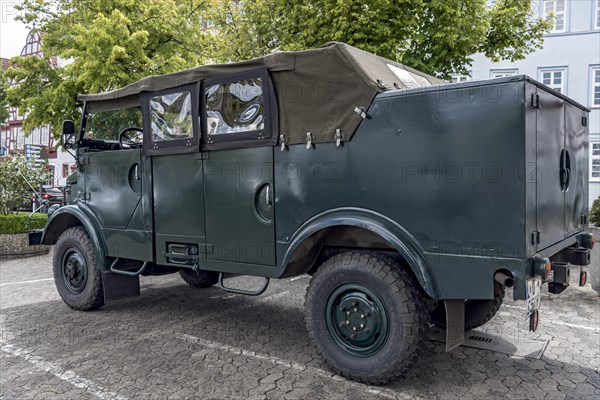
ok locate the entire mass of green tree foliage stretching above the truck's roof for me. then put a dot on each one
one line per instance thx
(109, 44)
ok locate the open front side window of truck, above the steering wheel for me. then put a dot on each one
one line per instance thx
(106, 125)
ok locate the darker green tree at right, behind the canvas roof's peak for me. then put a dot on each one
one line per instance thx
(434, 36)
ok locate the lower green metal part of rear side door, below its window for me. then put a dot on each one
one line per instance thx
(238, 189)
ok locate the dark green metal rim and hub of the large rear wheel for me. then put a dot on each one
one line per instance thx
(358, 320)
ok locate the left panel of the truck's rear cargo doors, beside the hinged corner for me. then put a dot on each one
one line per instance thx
(550, 139)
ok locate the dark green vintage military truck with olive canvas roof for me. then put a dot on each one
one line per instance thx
(410, 201)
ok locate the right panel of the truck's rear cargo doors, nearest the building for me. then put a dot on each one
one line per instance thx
(576, 164)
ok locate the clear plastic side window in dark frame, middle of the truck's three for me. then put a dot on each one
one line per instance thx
(171, 120)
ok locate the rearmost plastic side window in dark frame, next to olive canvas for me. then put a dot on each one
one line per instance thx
(239, 111)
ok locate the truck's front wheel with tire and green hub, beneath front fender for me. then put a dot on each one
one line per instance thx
(76, 273)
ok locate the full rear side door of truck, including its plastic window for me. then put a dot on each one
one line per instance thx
(239, 125)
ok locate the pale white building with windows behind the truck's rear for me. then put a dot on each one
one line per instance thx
(569, 63)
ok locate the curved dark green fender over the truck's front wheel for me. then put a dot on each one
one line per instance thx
(69, 216)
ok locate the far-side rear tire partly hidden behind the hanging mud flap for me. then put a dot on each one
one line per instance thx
(477, 312)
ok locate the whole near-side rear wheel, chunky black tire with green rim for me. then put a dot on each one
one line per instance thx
(374, 283)
